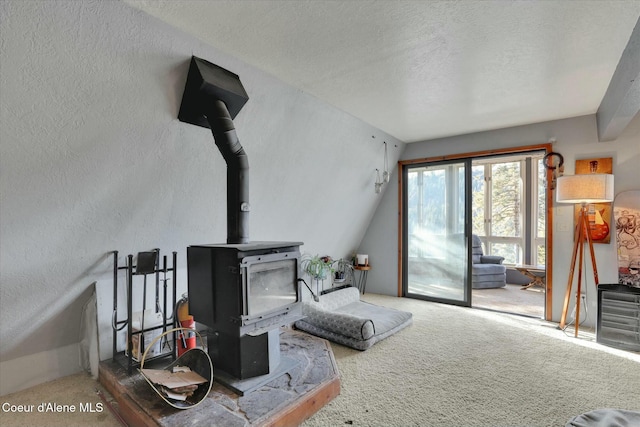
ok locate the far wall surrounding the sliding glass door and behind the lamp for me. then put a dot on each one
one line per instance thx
(576, 139)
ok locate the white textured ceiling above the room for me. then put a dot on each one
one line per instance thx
(420, 70)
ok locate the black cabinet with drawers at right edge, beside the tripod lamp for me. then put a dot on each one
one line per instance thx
(619, 316)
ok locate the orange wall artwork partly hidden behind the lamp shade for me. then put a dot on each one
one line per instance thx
(599, 213)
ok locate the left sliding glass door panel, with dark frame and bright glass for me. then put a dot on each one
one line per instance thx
(436, 228)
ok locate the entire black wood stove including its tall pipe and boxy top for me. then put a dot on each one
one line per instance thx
(244, 291)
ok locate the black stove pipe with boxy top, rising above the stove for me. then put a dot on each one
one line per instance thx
(212, 98)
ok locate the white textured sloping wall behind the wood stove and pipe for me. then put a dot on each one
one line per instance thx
(93, 159)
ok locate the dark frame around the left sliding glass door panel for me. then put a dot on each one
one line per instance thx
(404, 217)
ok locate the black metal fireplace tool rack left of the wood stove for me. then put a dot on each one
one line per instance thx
(147, 263)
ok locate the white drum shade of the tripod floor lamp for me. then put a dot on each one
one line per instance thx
(587, 188)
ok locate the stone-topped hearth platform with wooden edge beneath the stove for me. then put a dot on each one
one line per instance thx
(285, 401)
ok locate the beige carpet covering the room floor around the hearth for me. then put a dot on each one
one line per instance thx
(453, 367)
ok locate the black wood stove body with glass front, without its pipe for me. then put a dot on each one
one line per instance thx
(243, 292)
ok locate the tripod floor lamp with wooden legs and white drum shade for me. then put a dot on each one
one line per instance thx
(582, 189)
